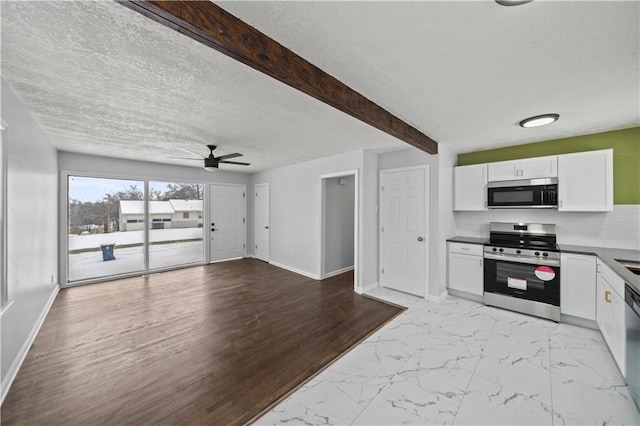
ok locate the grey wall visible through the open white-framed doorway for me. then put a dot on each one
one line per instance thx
(339, 223)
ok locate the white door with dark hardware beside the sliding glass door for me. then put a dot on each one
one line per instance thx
(227, 209)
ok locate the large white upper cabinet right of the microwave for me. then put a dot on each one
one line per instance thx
(585, 181)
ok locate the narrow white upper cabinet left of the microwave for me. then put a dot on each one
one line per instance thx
(470, 187)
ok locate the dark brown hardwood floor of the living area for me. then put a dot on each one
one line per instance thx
(216, 344)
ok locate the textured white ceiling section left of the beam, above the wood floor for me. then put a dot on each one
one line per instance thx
(102, 79)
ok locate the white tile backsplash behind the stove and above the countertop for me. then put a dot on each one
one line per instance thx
(619, 228)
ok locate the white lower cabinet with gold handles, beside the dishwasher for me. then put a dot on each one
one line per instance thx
(610, 310)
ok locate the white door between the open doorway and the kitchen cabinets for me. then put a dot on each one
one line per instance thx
(403, 236)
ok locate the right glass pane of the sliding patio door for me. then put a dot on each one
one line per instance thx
(175, 225)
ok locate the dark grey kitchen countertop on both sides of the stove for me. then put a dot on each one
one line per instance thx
(607, 255)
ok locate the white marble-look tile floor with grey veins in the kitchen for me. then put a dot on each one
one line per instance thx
(460, 362)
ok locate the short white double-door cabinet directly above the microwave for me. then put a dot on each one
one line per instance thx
(528, 168)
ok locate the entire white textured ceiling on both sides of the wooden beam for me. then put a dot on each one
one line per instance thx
(103, 79)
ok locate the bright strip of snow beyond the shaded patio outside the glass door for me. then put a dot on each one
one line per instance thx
(79, 242)
